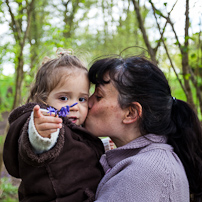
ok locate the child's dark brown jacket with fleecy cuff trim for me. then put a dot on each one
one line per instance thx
(69, 172)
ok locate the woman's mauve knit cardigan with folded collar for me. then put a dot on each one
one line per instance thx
(144, 170)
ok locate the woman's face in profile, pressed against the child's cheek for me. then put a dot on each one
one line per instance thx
(105, 114)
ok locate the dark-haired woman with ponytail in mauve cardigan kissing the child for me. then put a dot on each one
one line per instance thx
(158, 137)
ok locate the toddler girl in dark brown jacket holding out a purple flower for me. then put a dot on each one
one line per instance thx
(60, 163)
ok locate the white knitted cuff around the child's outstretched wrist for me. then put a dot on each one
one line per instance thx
(39, 143)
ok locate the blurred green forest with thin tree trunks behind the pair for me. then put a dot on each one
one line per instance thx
(169, 32)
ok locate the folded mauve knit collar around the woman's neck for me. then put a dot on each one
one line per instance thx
(112, 157)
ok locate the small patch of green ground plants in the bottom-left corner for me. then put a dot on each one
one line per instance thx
(9, 192)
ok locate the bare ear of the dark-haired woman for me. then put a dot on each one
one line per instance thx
(133, 113)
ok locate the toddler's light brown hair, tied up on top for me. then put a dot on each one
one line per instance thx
(51, 73)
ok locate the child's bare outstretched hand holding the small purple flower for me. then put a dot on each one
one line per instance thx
(45, 124)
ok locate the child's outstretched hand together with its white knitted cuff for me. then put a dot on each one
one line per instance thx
(43, 130)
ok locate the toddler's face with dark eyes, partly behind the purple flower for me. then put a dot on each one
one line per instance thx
(75, 88)
